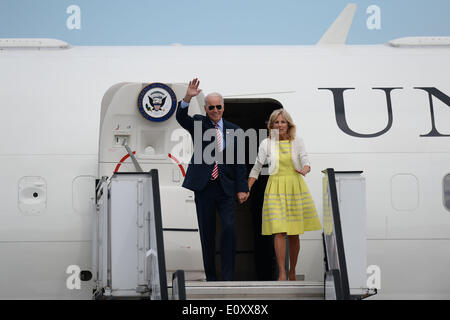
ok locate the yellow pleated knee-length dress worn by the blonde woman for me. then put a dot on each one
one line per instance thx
(288, 206)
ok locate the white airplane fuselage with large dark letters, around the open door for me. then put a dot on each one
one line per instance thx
(51, 107)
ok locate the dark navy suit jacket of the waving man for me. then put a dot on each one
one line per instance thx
(232, 176)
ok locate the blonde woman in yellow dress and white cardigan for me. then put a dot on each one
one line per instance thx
(288, 208)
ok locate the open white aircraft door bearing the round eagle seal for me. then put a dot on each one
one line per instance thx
(139, 131)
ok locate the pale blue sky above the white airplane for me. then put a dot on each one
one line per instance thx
(217, 22)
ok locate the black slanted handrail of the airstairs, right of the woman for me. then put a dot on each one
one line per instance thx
(338, 233)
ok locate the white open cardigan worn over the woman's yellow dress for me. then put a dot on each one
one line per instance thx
(267, 152)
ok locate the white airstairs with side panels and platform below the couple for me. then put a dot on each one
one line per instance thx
(129, 258)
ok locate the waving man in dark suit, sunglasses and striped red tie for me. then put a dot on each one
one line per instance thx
(216, 183)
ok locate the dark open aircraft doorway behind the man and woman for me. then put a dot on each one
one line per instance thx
(255, 255)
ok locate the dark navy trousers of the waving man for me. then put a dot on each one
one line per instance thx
(207, 201)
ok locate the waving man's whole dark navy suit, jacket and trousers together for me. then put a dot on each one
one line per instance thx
(214, 195)
